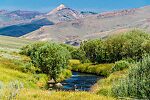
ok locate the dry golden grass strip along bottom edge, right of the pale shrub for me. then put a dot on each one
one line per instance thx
(27, 94)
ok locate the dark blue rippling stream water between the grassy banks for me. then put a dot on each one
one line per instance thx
(80, 81)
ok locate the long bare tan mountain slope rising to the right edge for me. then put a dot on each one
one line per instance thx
(94, 26)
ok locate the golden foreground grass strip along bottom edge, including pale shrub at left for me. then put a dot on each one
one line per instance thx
(15, 91)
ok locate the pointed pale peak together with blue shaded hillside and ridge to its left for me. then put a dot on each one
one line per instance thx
(18, 23)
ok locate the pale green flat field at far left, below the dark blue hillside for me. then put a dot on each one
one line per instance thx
(12, 43)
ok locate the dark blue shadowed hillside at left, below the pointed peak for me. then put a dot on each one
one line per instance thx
(22, 29)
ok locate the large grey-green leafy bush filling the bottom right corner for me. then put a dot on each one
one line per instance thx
(137, 83)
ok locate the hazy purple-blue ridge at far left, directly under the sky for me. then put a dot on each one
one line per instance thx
(8, 18)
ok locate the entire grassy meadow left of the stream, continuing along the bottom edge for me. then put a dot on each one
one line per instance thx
(13, 71)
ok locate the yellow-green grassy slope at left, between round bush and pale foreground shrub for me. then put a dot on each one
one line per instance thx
(12, 70)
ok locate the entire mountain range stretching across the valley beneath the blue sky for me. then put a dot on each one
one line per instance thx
(64, 24)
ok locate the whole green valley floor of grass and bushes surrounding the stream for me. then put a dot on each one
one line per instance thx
(123, 60)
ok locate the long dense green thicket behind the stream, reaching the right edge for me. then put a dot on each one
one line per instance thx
(133, 44)
